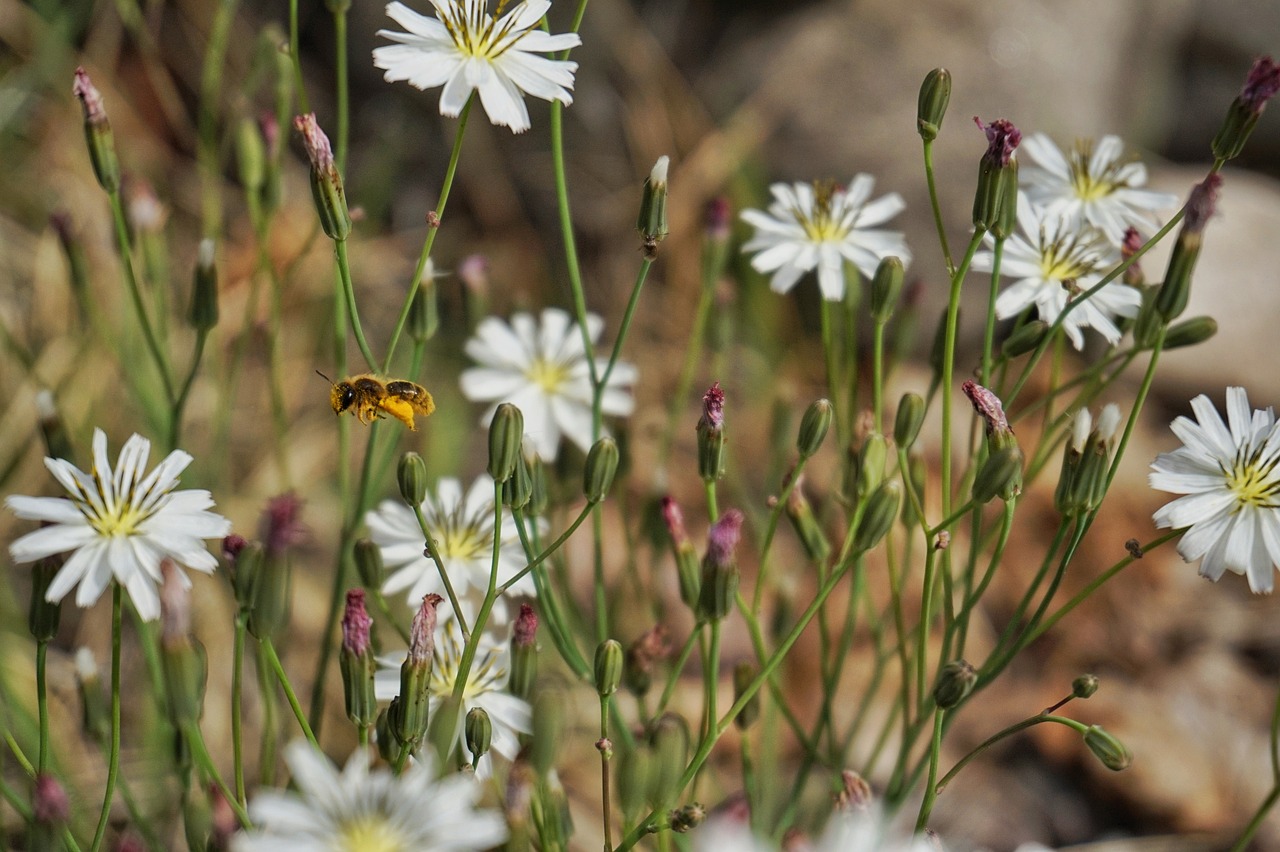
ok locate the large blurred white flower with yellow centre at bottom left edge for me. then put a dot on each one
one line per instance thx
(358, 809)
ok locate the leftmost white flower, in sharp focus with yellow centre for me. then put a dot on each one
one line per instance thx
(120, 524)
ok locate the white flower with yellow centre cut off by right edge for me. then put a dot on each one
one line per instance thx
(1231, 478)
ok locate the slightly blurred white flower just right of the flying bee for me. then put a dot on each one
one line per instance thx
(541, 368)
